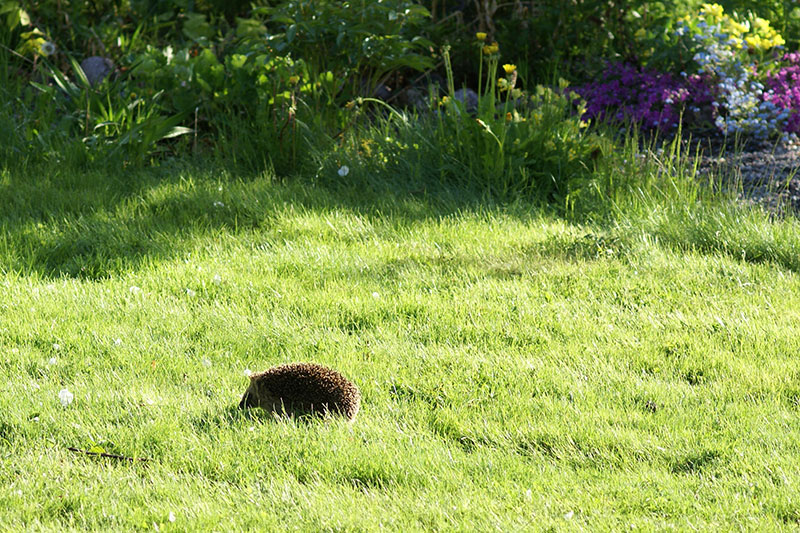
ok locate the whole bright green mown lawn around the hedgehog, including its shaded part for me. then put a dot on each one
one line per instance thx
(518, 372)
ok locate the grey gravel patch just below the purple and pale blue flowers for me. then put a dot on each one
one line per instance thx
(765, 174)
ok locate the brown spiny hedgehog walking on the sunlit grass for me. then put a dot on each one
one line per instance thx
(302, 388)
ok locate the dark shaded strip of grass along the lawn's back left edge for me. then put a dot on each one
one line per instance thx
(96, 224)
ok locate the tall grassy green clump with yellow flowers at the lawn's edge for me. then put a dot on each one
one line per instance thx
(514, 144)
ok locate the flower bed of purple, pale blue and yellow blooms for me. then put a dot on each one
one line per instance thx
(738, 81)
